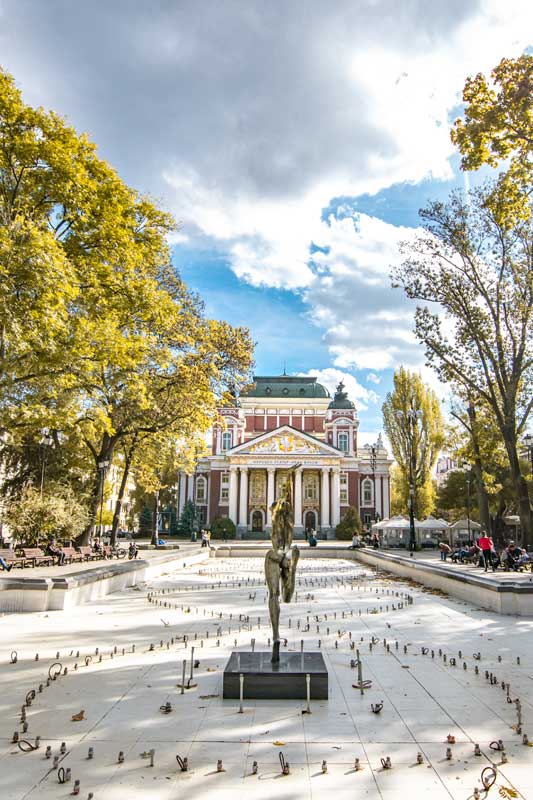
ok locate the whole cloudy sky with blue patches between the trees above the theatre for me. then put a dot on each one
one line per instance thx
(295, 150)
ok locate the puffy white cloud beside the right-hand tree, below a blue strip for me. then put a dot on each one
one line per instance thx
(367, 324)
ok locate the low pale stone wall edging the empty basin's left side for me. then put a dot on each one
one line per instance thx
(58, 592)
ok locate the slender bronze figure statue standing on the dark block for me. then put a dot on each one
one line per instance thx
(282, 559)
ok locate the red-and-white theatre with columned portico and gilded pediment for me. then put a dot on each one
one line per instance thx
(278, 423)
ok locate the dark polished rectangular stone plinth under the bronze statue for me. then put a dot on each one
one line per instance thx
(284, 680)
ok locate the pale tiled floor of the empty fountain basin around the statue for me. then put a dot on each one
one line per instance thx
(340, 606)
